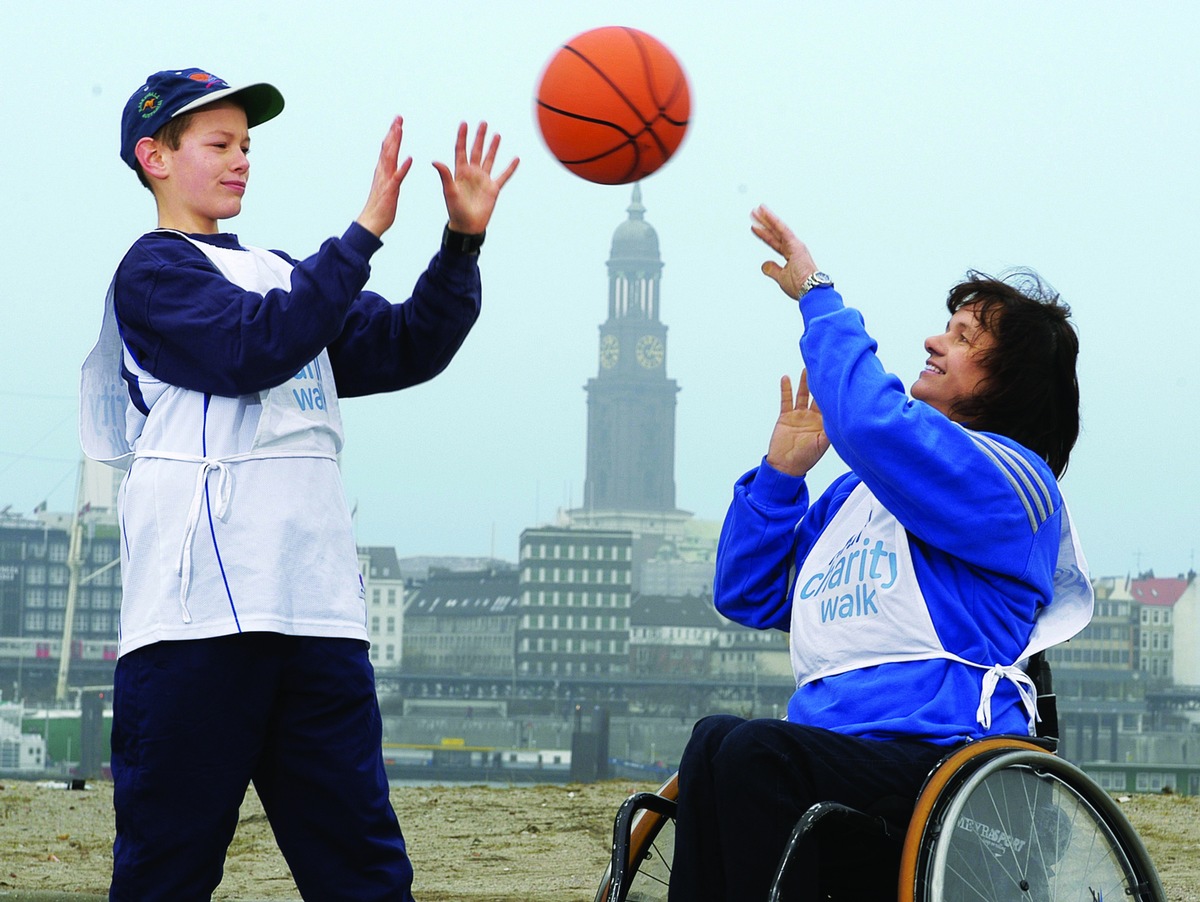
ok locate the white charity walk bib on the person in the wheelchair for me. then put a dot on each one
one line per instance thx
(857, 604)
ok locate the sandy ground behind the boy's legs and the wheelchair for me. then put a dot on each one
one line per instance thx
(470, 844)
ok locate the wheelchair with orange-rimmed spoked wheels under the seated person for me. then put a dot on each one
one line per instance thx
(999, 820)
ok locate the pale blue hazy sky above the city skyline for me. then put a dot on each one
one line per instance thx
(905, 142)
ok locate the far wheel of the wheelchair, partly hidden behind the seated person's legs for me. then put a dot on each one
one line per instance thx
(647, 870)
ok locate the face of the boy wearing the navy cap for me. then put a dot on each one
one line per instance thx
(207, 176)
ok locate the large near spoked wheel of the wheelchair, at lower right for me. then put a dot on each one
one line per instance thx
(1029, 827)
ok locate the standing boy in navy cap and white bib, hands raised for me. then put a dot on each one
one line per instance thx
(217, 383)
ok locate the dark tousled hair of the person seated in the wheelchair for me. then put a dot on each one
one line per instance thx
(1031, 392)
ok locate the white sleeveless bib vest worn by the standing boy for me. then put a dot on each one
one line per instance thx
(233, 515)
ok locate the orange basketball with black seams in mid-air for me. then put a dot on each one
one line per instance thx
(614, 105)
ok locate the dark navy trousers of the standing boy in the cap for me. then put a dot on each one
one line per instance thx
(196, 721)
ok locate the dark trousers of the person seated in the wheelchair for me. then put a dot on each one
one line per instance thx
(743, 785)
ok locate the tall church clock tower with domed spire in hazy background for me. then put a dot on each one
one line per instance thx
(632, 402)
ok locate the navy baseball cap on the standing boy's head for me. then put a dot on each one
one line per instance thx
(173, 92)
